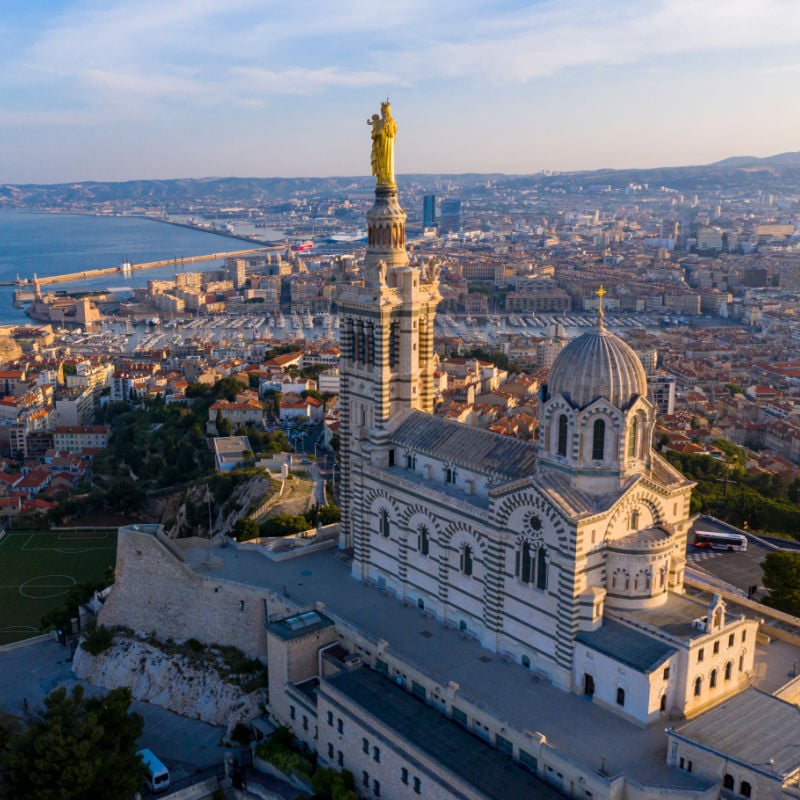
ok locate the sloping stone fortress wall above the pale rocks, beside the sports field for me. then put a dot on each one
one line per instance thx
(156, 592)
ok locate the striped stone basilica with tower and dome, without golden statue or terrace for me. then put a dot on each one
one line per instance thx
(566, 555)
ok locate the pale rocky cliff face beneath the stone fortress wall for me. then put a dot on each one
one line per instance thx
(176, 682)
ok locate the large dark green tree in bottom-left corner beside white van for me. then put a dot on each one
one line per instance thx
(77, 748)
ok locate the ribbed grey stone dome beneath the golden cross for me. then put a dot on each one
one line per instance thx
(598, 364)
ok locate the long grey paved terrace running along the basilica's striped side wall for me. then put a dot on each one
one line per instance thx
(508, 692)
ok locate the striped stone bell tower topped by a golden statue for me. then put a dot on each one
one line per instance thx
(386, 322)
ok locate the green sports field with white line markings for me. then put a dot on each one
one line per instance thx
(37, 569)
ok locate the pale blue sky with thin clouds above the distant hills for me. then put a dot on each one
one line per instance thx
(190, 88)
